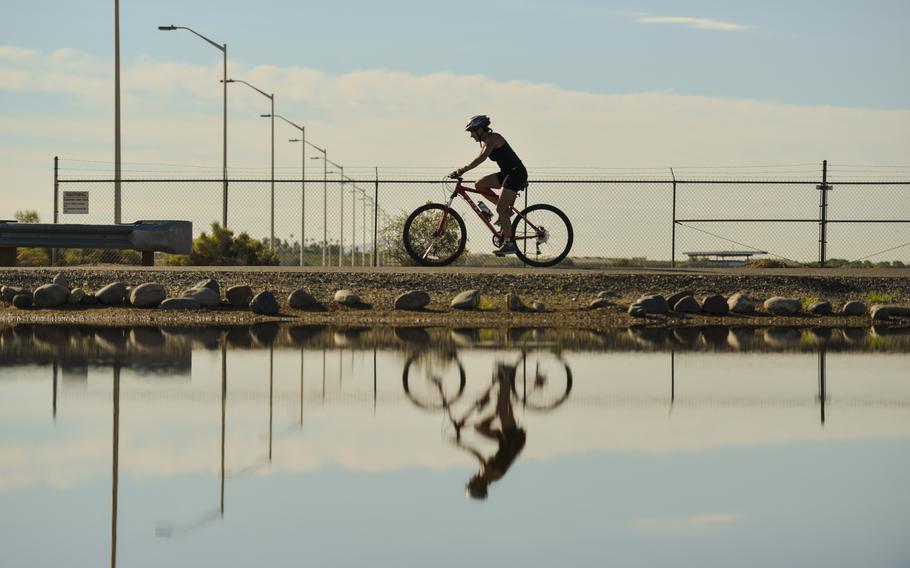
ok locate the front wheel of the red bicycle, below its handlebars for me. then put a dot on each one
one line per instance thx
(429, 240)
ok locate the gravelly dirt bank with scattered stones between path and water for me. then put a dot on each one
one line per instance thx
(565, 293)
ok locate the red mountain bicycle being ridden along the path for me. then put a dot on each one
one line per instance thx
(435, 234)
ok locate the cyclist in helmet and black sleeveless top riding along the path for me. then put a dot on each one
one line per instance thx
(512, 176)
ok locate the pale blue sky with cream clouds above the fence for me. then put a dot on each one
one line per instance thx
(574, 84)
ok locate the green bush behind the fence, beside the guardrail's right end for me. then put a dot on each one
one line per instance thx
(222, 248)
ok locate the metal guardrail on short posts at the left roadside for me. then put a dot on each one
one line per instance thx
(148, 237)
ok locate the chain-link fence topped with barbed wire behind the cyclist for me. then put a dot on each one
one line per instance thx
(666, 217)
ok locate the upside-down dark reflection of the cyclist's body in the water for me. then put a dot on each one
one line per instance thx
(510, 437)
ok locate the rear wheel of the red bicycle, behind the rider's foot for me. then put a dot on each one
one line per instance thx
(543, 235)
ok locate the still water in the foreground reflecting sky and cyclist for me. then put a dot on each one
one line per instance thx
(292, 446)
